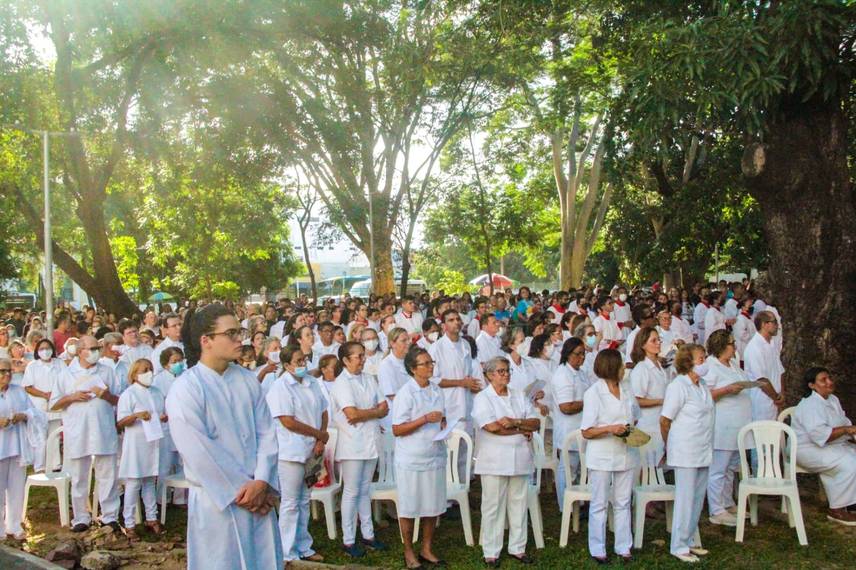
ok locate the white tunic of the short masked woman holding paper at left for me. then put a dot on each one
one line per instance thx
(140, 458)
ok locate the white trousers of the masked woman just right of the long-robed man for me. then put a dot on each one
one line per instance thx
(294, 512)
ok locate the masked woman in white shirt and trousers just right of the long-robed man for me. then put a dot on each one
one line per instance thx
(300, 411)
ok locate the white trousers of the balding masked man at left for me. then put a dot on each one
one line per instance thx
(105, 481)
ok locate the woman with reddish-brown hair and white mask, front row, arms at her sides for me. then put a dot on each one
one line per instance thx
(686, 424)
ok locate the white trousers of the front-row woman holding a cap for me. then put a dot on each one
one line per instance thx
(622, 492)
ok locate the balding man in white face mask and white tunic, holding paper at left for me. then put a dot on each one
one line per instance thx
(85, 393)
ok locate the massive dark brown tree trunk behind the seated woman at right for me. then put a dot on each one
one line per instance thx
(800, 179)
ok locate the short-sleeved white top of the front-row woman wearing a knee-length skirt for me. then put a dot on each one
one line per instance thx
(418, 451)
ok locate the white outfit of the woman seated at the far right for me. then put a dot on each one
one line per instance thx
(813, 421)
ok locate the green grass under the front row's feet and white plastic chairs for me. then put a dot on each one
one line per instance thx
(772, 544)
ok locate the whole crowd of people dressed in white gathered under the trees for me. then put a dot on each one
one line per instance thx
(241, 400)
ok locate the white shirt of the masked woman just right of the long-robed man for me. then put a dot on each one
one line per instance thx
(305, 402)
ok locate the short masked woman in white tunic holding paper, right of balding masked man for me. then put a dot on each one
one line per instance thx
(140, 413)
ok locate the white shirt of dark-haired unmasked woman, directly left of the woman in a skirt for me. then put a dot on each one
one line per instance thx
(356, 441)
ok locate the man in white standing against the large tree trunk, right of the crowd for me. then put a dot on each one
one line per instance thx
(762, 362)
